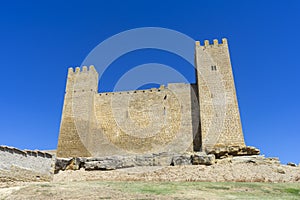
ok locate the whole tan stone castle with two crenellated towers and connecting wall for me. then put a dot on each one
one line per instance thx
(178, 117)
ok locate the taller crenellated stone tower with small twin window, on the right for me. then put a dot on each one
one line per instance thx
(219, 112)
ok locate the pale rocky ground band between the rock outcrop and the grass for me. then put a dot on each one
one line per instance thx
(225, 171)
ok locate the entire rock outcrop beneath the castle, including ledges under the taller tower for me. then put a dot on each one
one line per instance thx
(239, 154)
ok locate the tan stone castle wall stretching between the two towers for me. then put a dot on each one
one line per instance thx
(145, 121)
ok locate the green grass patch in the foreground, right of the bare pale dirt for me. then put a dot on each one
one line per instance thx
(233, 189)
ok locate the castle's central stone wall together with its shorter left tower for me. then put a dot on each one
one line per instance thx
(130, 122)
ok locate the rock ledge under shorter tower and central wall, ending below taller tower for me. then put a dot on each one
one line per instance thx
(118, 162)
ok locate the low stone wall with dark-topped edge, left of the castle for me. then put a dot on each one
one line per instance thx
(16, 164)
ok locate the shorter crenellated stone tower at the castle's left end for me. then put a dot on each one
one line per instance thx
(78, 112)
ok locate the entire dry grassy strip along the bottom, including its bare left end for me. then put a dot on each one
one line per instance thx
(155, 190)
